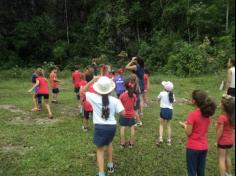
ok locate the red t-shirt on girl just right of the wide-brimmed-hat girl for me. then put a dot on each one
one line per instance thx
(129, 104)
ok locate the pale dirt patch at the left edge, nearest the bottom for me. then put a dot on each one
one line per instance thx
(21, 149)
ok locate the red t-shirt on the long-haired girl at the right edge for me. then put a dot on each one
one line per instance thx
(227, 137)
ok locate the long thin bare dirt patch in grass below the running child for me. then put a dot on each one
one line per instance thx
(33, 121)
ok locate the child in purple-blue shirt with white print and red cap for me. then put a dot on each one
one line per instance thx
(120, 83)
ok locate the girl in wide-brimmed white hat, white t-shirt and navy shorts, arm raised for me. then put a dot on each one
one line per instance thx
(104, 109)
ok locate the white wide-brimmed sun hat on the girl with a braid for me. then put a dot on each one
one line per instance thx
(104, 86)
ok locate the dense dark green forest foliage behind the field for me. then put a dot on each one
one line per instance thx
(184, 37)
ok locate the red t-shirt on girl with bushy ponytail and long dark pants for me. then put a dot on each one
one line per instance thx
(198, 139)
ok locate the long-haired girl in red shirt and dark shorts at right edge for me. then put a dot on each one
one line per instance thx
(225, 134)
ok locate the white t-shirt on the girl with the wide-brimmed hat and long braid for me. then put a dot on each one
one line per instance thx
(115, 106)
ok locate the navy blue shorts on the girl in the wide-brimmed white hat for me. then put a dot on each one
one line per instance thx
(104, 135)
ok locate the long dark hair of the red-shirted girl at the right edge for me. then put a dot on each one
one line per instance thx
(228, 104)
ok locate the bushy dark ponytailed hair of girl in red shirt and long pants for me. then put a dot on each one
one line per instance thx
(204, 102)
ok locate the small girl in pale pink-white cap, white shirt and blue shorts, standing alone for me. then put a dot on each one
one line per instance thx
(166, 99)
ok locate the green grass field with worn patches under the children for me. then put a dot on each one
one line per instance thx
(32, 145)
